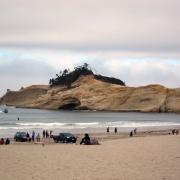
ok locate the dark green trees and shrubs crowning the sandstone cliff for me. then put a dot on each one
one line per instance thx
(67, 77)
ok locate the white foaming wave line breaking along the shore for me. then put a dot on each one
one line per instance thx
(78, 125)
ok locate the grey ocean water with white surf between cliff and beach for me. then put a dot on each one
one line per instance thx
(82, 121)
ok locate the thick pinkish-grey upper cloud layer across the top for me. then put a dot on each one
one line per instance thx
(138, 25)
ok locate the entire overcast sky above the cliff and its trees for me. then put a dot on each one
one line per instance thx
(137, 41)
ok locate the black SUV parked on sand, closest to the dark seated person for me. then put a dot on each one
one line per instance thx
(65, 138)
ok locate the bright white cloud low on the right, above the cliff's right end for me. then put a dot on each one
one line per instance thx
(145, 71)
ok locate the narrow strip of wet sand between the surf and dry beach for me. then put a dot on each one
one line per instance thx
(98, 131)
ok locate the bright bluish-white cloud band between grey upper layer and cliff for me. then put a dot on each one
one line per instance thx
(26, 67)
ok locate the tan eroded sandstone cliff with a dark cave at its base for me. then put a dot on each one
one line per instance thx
(89, 93)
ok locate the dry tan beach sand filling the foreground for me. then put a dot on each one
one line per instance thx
(119, 157)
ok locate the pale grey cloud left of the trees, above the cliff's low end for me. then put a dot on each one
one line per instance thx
(17, 72)
